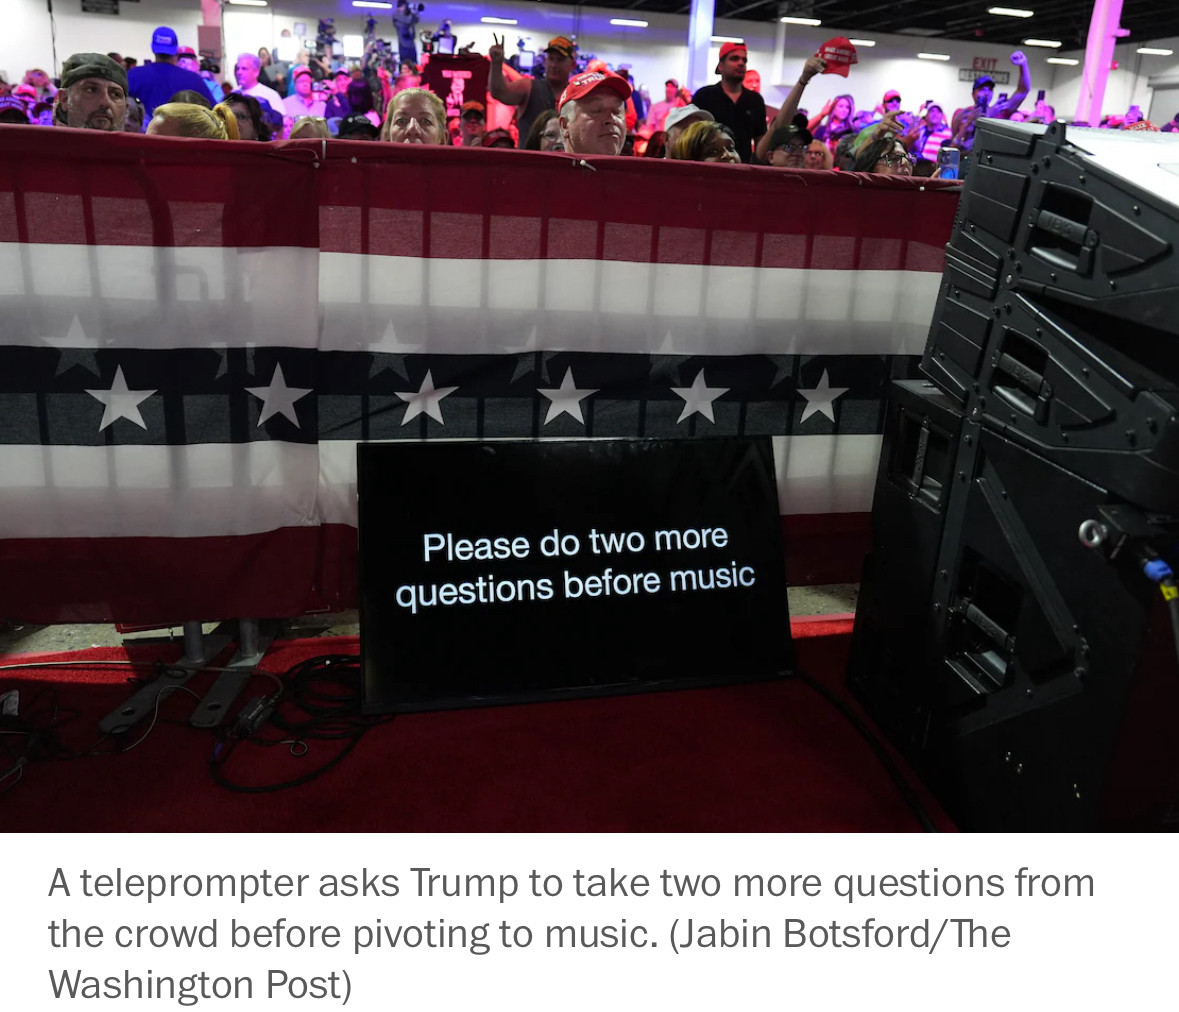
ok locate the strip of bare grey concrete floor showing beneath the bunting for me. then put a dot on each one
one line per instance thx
(27, 639)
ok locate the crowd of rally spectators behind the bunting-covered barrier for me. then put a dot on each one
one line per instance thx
(590, 111)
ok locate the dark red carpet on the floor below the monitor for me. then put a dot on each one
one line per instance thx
(756, 758)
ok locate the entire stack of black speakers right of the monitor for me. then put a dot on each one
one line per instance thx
(1011, 636)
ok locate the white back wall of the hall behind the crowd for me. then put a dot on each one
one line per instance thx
(655, 54)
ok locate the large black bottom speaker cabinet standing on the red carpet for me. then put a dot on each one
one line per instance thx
(1029, 678)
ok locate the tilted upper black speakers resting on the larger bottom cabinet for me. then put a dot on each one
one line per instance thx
(1056, 321)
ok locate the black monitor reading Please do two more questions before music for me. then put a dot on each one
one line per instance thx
(496, 573)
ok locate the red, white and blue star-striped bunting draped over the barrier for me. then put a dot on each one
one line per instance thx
(194, 337)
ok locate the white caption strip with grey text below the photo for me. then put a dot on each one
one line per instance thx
(1111, 949)
